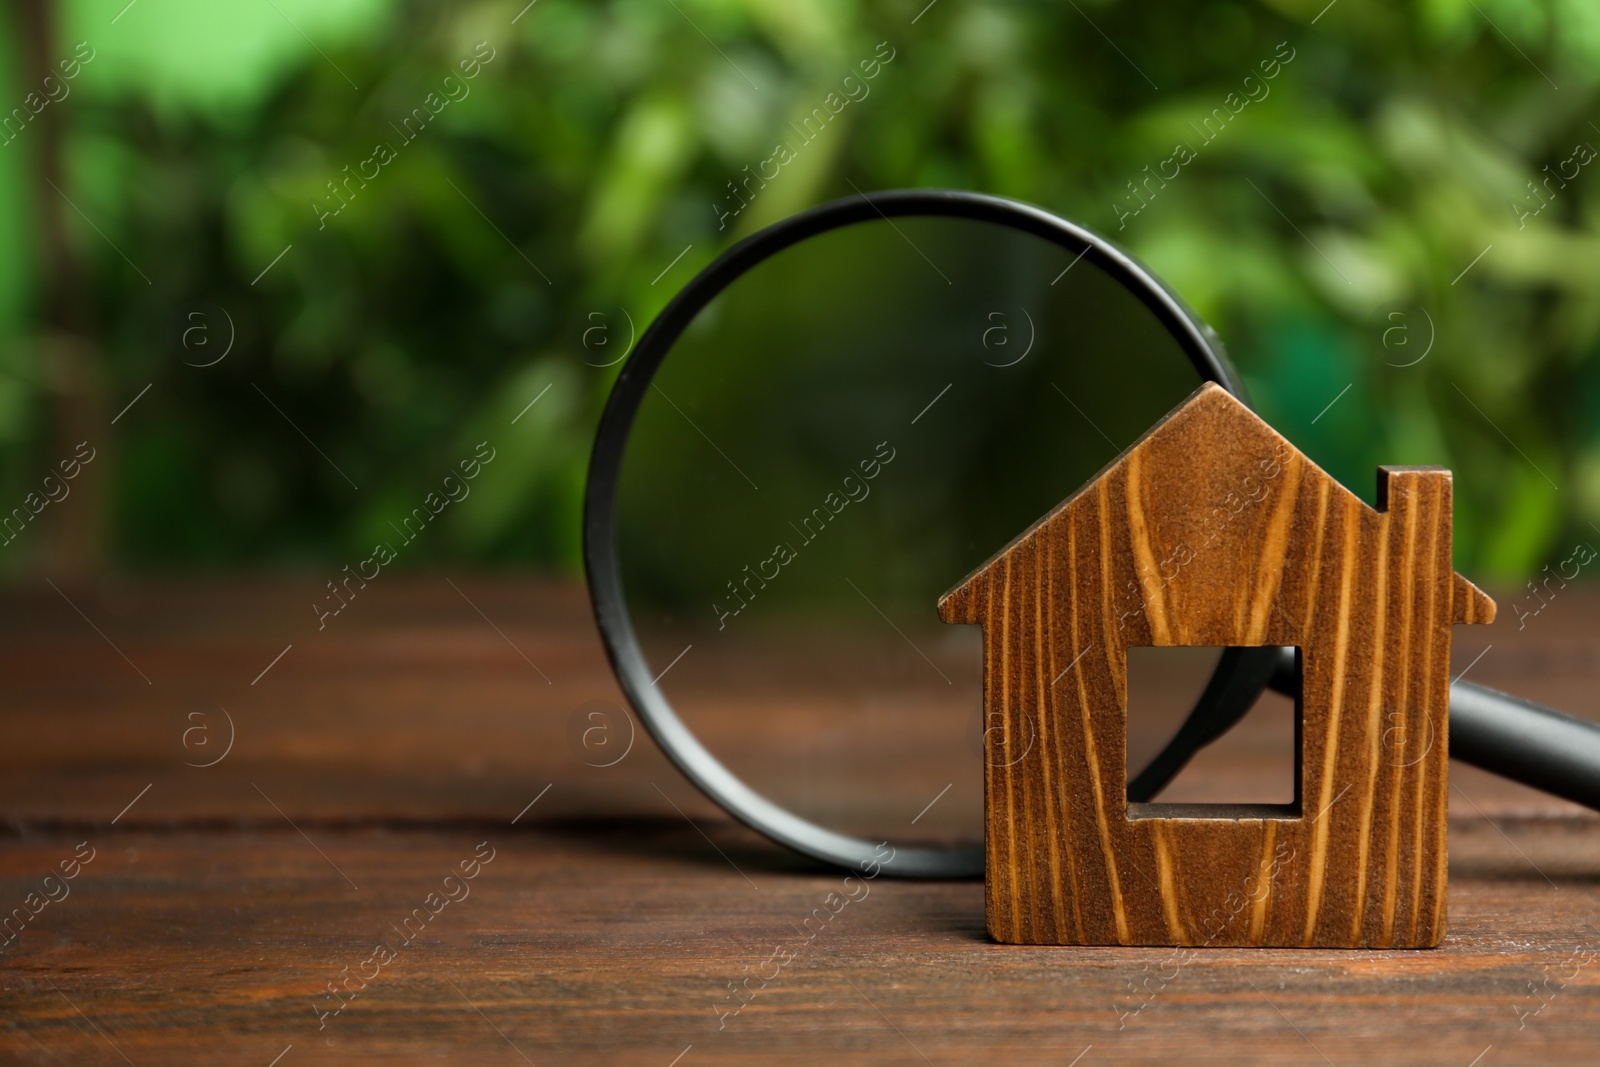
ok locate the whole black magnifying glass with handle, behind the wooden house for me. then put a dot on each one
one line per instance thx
(825, 431)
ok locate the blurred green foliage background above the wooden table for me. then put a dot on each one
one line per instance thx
(1326, 233)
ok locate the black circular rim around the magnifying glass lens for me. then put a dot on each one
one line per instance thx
(601, 557)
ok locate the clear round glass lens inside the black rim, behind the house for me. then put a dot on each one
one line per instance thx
(838, 439)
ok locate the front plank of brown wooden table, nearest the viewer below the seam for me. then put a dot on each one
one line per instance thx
(614, 941)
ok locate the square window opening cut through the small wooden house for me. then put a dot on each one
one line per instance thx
(1250, 772)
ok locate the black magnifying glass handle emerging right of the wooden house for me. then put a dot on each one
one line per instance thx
(1513, 738)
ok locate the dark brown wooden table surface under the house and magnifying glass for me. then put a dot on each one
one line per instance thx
(607, 921)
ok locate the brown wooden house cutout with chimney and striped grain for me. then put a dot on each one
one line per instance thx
(1214, 530)
